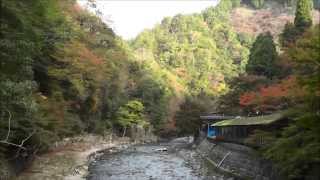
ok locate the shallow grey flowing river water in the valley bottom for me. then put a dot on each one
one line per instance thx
(147, 162)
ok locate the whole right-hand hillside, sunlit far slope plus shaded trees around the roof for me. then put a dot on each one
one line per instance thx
(272, 68)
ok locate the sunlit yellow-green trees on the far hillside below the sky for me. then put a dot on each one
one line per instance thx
(202, 50)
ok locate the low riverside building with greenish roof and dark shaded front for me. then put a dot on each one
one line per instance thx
(238, 129)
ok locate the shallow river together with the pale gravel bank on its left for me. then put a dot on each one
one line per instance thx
(96, 158)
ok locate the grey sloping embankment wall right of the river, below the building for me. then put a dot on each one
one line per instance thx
(238, 160)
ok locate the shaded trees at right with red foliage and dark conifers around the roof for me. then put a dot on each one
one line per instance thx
(285, 80)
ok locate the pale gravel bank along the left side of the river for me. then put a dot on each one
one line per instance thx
(69, 159)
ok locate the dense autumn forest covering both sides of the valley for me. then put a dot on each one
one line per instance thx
(64, 72)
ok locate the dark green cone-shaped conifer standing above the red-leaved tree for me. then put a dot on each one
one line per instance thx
(263, 56)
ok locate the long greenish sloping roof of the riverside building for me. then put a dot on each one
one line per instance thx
(245, 121)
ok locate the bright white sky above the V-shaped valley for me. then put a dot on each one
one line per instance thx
(129, 17)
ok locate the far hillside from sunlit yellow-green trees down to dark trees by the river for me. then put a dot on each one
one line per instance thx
(200, 52)
